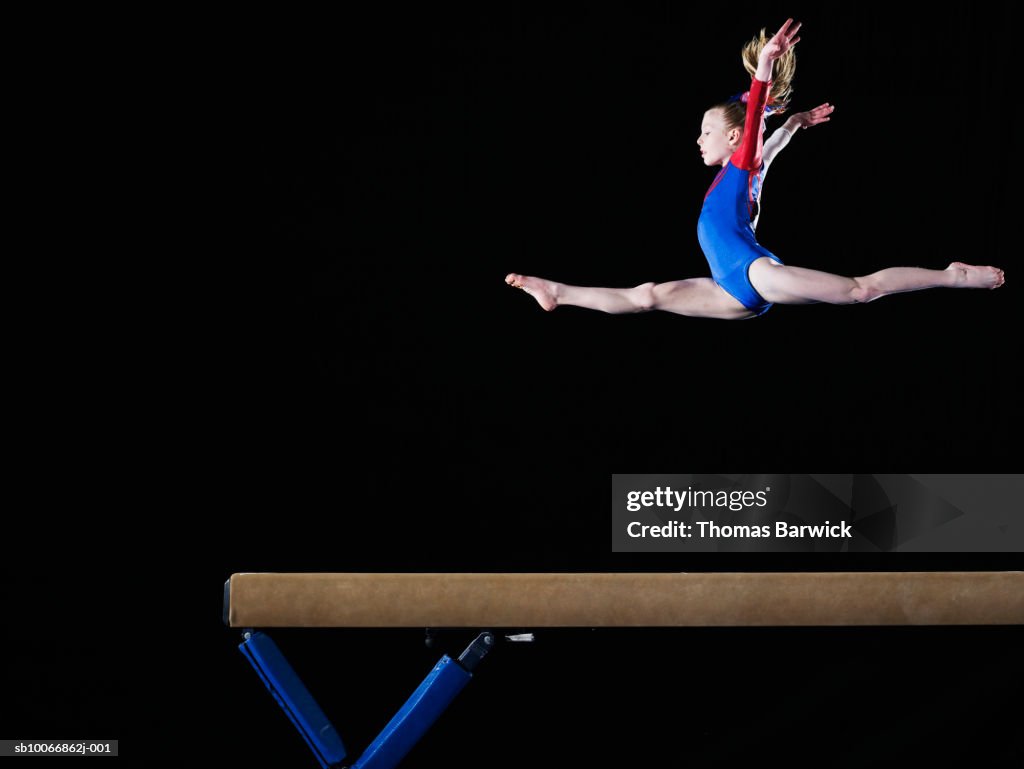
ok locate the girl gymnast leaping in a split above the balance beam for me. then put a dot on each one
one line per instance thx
(747, 279)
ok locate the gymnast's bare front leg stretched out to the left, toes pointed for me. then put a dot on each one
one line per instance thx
(699, 297)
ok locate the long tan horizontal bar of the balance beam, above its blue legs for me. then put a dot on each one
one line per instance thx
(623, 601)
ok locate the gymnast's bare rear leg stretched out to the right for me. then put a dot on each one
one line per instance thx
(787, 285)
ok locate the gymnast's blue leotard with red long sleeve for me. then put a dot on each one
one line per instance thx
(724, 229)
